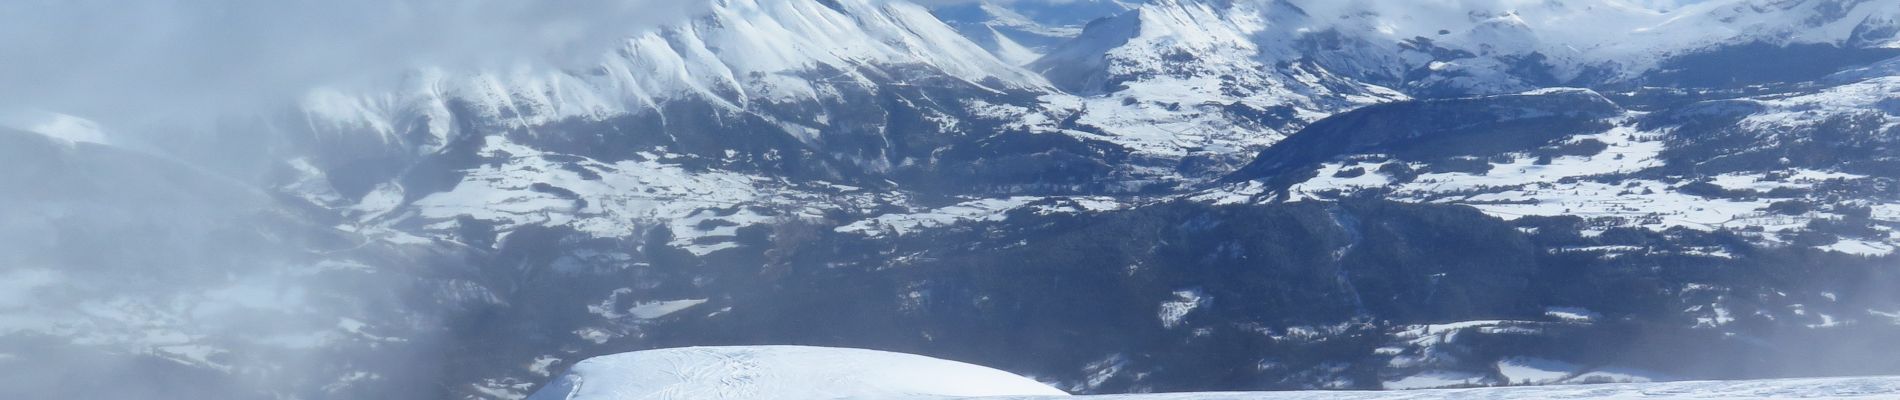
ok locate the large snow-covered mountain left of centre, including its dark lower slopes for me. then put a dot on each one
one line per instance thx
(801, 73)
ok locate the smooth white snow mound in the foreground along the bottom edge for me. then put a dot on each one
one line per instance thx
(820, 373)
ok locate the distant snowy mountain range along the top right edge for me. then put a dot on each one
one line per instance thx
(1475, 46)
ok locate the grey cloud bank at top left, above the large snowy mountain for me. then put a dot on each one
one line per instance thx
(117, 60)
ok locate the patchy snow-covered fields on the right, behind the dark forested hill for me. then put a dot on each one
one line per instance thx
(1637, 175)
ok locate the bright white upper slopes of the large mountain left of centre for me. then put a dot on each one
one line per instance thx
(742, 54)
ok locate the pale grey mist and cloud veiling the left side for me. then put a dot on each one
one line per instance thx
(134, 266)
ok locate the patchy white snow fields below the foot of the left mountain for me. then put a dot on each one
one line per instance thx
(617, 200)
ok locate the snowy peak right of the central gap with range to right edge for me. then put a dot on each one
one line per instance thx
(1179, 65)
